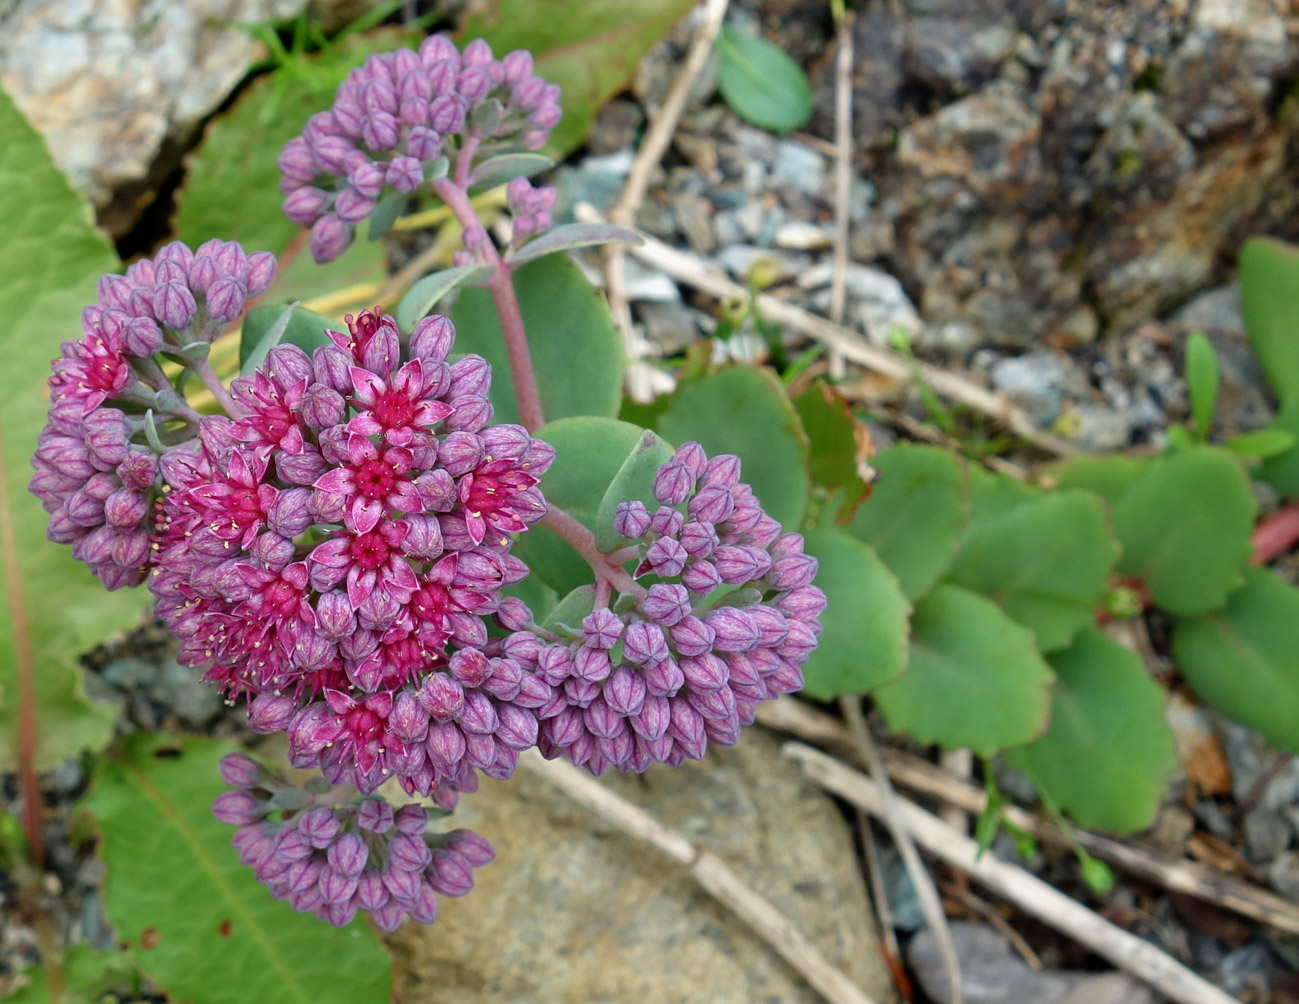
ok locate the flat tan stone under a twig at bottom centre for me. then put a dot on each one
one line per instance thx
(572, 912)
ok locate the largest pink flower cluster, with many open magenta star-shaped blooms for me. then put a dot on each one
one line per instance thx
(344, 537)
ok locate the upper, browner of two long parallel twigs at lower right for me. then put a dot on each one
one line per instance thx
(1194, 879)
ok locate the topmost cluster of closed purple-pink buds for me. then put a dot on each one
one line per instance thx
(396, 118)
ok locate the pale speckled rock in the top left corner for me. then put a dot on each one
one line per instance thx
(115, 84)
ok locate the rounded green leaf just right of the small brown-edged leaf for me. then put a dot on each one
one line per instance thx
(915, 515)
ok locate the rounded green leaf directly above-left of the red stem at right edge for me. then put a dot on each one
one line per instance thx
(1185, 529)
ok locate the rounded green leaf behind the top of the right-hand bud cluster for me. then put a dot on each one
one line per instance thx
(746, 412)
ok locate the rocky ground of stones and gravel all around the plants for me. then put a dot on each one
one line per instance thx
(1048, 199)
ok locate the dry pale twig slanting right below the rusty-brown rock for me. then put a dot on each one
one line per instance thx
(706, 277)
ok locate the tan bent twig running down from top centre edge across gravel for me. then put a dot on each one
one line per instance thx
(653, 147)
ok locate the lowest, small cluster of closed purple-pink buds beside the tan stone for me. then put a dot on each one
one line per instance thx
(338, 860)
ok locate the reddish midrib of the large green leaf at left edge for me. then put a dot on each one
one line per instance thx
(29, 784)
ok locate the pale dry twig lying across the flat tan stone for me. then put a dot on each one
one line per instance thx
(709, 871)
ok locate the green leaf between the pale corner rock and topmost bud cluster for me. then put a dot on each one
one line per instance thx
(232, 184)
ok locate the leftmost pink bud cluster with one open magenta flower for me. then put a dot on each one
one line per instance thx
(97, 471)
